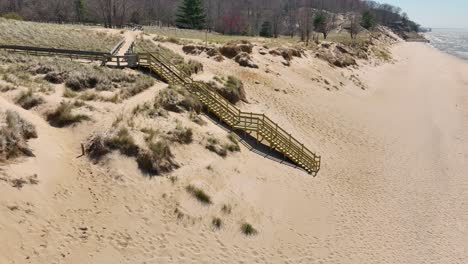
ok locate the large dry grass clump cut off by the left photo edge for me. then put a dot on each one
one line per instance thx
(14, 134)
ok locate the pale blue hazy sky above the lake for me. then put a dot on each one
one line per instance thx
(435, 13)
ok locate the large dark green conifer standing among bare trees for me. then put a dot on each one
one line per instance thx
(191, 15)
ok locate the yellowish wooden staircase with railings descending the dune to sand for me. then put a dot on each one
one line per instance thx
(258, 125)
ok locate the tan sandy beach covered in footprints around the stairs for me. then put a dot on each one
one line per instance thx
(393, 186)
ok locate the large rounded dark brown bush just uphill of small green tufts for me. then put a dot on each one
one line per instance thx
(157, 160)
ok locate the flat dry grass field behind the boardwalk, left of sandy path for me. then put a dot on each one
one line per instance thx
(13, 32)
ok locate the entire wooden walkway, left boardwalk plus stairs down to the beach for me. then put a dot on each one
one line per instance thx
(258, 125)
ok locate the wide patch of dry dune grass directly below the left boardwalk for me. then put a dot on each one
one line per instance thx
(84, 81)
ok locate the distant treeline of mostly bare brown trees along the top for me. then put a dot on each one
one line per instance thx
(288, 17)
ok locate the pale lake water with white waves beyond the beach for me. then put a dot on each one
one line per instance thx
(452, 41)
